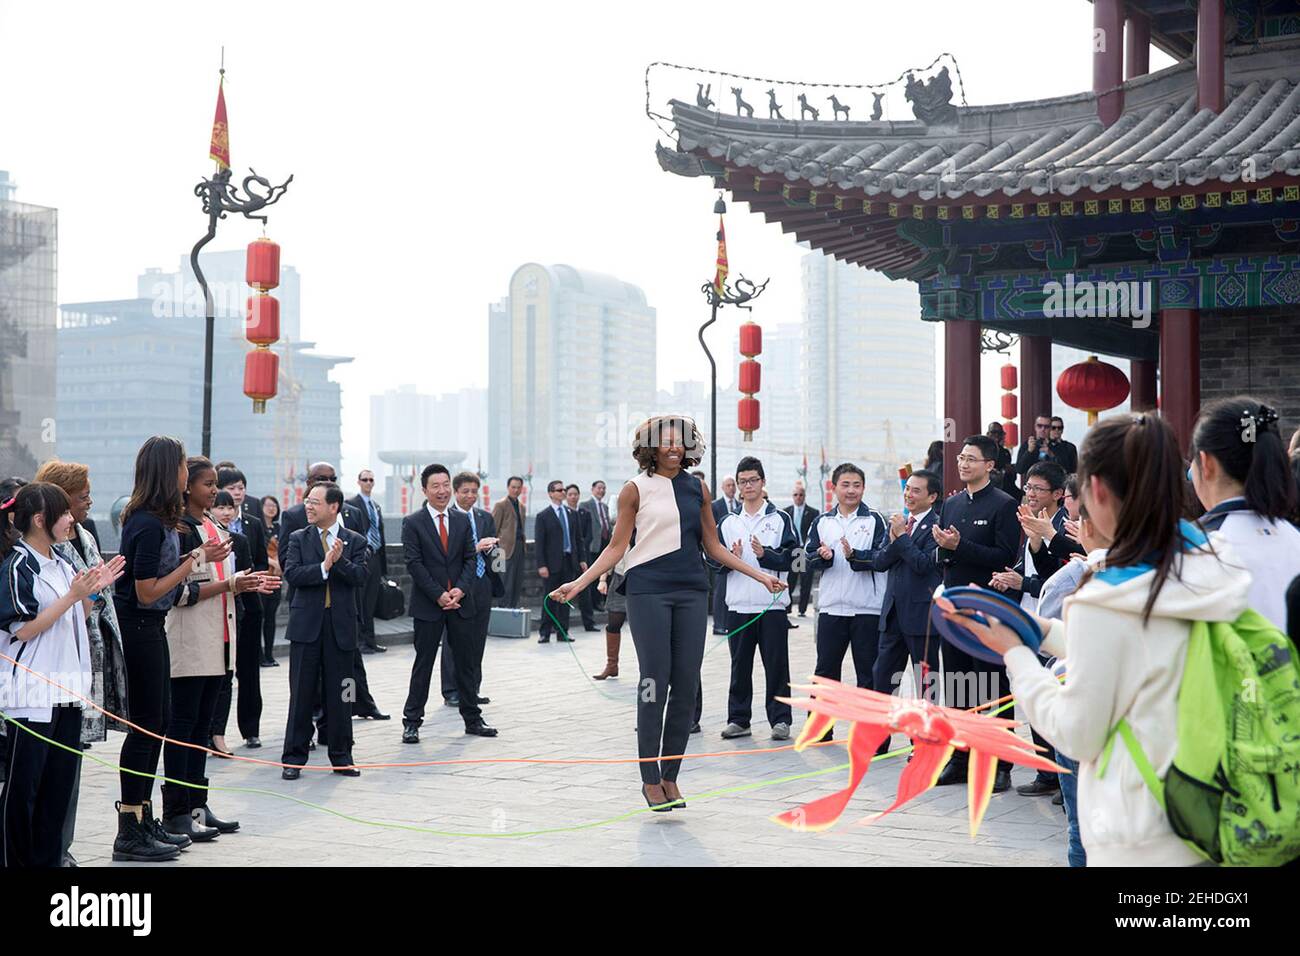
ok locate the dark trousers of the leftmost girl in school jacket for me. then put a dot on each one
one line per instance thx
(38, 789)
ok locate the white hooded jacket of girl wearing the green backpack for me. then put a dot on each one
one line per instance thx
(1120, 669)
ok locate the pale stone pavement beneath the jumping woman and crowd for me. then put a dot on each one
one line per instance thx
(547, 708)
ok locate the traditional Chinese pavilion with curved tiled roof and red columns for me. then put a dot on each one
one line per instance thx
(1186, 181)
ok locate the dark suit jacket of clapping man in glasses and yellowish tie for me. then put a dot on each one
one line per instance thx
(302, 566)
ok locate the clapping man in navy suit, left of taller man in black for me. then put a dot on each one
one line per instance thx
(913, 577)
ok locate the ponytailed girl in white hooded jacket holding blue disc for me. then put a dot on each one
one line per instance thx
(1125, 638)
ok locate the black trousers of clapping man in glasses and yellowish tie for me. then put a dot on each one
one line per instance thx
(323, 667)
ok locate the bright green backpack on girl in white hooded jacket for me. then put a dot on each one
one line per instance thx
(1233, 791)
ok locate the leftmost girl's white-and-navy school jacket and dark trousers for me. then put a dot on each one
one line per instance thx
(41, 777)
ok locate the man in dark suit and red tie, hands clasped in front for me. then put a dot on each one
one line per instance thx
(440, 555)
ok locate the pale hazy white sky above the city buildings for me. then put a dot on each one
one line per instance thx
(436, 148)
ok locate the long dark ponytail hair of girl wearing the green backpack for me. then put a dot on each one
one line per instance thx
(1139, 461)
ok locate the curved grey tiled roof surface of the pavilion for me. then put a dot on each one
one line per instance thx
(1034, 149)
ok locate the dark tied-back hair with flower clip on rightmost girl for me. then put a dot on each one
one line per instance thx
(1243, 436)
